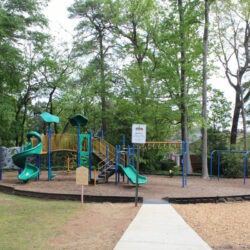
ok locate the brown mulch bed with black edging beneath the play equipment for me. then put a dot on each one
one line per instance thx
(64, 187)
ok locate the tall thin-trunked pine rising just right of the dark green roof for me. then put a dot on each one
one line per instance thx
(94, 40)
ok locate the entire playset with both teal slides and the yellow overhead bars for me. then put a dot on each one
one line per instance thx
(80, 148)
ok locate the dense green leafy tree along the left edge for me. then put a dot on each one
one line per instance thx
(20, 23)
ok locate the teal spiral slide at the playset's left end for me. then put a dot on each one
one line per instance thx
(30, 171)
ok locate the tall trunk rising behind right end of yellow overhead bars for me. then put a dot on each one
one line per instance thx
(184, 119)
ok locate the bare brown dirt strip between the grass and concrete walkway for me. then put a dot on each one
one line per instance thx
(96, 226)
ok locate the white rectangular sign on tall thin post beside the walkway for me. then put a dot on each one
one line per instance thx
(138, 137)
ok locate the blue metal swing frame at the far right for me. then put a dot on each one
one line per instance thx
(219, 153)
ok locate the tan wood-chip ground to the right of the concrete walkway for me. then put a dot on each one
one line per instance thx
(222, 226)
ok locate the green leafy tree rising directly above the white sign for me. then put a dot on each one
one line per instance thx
(133, 23)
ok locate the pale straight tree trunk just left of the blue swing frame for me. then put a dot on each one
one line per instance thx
(204, 92)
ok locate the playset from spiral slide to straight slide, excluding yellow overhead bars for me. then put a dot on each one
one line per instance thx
(79, 148)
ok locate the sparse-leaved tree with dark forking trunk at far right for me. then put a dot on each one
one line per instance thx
(233, 33)
